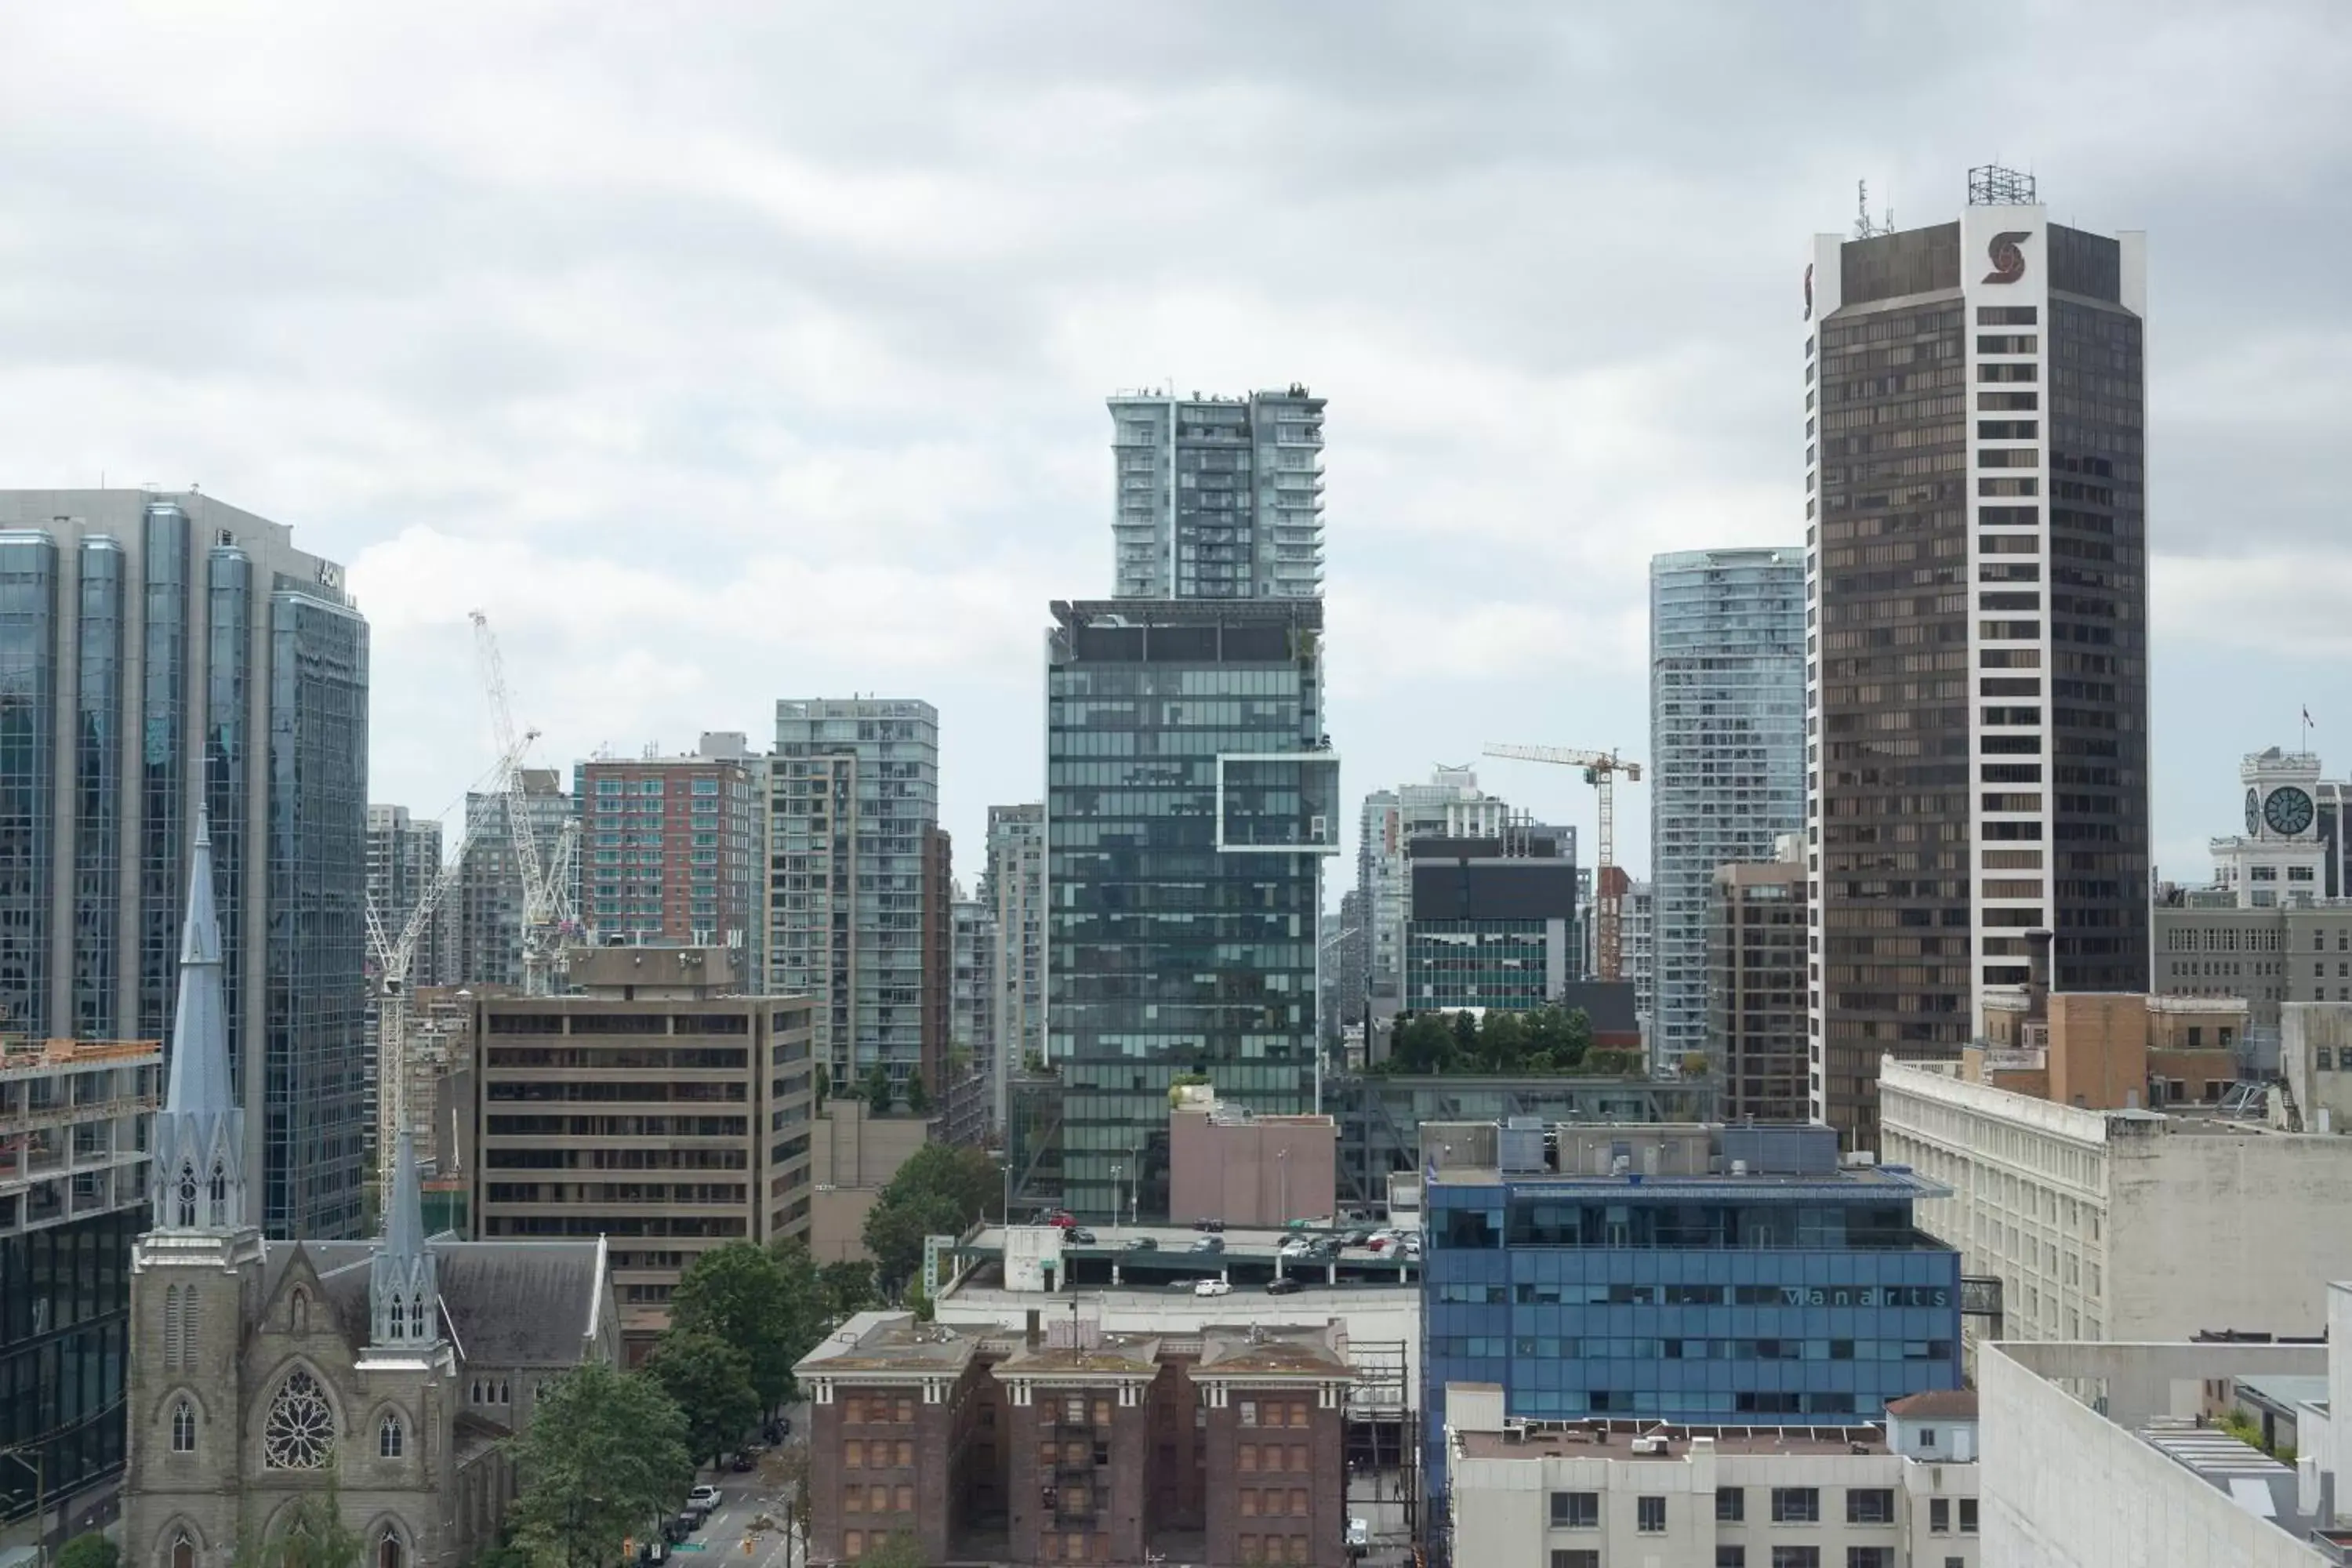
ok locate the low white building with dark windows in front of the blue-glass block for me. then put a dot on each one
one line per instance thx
(1598, 1494)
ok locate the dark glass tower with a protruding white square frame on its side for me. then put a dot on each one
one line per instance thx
(1191, 796)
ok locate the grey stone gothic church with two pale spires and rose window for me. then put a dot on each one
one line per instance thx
(258, 1365)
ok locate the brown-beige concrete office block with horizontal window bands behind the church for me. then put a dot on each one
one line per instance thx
(657, 1108)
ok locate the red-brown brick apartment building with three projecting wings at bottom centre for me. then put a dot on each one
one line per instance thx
(1078, 1447)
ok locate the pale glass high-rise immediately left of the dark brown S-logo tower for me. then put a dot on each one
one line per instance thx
(1728, 753)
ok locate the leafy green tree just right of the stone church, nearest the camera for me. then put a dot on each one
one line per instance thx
(606, 1454)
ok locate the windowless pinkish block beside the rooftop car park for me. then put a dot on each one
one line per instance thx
(1243, 1170)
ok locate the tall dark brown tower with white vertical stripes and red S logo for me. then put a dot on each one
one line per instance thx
(1977, 655)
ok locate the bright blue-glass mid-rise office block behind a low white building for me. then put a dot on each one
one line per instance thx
(1690, 1275)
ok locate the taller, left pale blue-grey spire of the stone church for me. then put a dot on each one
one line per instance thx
(201, 1130)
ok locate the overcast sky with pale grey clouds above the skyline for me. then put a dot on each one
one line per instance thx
(749, 351)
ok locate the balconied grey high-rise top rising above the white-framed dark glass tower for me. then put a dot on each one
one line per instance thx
(1220, 497)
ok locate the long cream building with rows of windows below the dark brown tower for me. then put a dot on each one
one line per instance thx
(2123, 1224)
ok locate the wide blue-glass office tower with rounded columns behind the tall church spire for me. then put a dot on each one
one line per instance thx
(163, 657)
